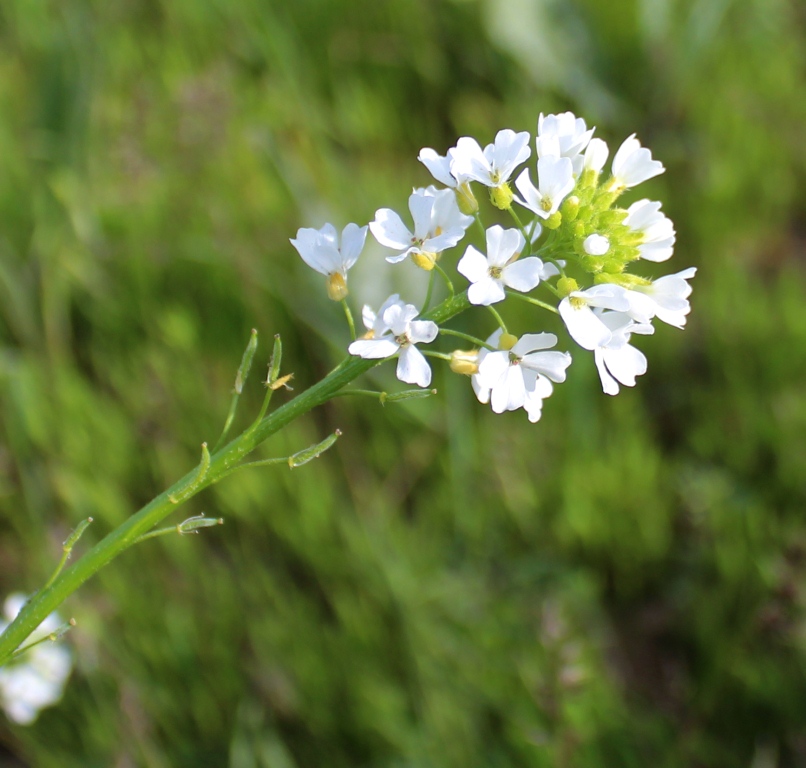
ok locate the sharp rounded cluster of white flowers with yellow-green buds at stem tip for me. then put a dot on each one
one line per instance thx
(577, 248)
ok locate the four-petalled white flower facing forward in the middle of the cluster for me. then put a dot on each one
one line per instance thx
(500, 268)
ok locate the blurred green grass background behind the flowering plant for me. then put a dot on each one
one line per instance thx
(620, 584)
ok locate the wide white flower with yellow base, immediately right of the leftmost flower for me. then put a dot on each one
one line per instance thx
(438, 225)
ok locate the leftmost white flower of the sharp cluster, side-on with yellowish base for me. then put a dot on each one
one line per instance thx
(320, 250)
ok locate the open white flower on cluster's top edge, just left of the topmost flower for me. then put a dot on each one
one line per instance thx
(494, 165)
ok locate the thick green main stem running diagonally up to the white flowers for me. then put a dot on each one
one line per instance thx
(48, 599)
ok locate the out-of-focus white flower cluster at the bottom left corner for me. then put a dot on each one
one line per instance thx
(37, 679)
